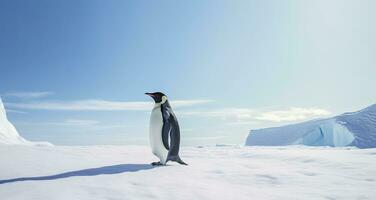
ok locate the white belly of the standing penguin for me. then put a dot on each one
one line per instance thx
(156, 142)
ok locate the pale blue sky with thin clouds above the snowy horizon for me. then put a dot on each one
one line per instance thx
(75, 72)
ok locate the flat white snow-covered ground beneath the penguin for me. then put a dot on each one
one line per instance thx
(123, 172)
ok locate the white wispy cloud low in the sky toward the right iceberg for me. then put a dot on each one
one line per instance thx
(249, 116)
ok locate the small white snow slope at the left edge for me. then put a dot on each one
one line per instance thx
(8, 133)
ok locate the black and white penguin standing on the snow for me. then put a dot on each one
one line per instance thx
(164, 131)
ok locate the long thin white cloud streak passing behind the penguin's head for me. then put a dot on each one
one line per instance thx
(99, 105)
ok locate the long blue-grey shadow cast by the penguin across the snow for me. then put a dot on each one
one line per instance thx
(106, 170)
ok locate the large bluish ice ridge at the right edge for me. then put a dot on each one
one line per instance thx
(349, 129)
